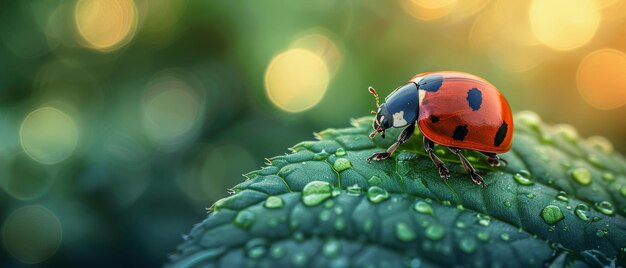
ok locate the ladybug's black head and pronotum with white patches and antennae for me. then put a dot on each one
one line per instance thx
(399, 110)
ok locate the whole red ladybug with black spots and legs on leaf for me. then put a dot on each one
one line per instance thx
(453, 109)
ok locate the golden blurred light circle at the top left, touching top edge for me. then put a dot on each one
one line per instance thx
(105, 25)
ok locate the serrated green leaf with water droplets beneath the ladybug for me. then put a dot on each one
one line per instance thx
(561, 200)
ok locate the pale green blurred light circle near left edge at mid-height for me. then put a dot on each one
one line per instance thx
(48, 135)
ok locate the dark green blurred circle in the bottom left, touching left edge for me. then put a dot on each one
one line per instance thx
(32, 234)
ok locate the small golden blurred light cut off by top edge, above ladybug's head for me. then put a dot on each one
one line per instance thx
(428, 9)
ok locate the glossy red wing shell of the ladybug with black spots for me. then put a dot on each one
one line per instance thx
(464, 111)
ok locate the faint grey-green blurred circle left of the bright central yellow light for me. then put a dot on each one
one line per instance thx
(172, 107)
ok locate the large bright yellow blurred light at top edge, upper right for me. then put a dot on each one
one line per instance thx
(564, 24)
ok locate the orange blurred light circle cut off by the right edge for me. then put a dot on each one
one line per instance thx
(601, 79)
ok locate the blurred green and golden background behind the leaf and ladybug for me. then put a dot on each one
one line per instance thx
(121, 120)
